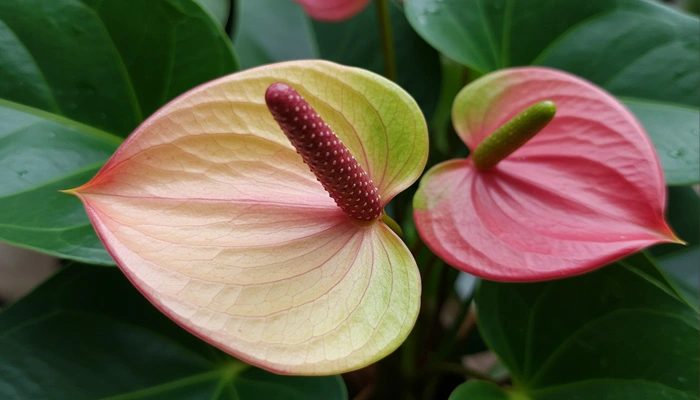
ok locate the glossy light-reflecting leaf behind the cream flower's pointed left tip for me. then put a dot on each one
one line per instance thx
(43, 153)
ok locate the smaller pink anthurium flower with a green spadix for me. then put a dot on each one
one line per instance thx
(586, 190)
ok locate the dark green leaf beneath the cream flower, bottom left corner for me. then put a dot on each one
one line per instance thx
(87, 334)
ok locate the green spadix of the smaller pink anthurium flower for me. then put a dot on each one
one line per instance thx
(513, 134)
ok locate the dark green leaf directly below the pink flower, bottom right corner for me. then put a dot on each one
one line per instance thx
(621, 329)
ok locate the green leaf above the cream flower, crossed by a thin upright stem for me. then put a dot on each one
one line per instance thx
(288, 33)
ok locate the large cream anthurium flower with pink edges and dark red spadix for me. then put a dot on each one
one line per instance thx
(212, 214)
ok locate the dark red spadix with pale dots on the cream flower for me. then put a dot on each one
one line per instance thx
(325, 154)
